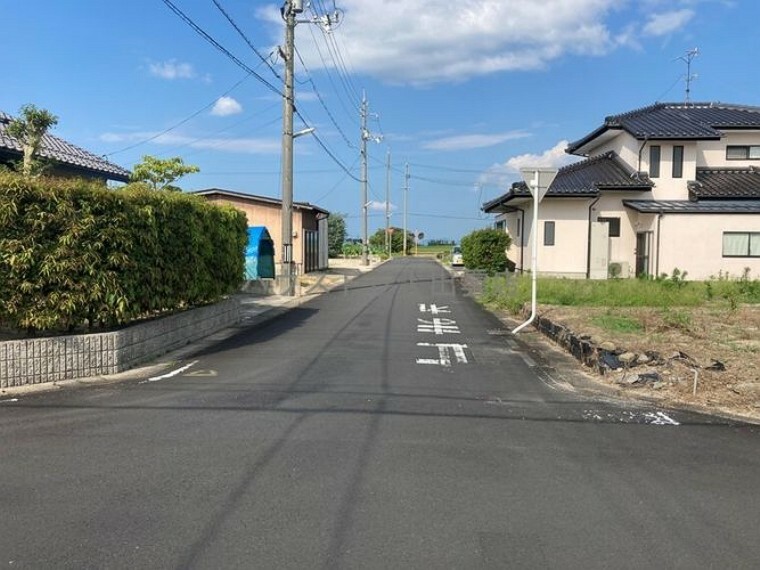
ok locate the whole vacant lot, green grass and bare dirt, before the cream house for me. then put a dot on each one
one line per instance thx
(670, 332)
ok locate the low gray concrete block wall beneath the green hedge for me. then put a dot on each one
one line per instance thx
(40, 360)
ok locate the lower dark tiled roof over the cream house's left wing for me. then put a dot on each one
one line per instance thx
(583, 178)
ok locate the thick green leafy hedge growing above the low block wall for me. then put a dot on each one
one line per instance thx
(74, 253)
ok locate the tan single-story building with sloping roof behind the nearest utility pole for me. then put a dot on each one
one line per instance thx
(309, 225)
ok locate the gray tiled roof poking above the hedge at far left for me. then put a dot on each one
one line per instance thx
(64, 153)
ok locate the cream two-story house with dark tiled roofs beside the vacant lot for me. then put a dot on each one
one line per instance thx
(672, 185)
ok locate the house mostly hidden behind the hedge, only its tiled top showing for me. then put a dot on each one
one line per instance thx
(67, 159)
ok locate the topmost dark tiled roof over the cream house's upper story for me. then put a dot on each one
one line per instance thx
(667, 121)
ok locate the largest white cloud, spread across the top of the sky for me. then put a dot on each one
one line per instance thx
(453, 40)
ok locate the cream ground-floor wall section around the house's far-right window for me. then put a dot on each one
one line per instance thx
(694, 243)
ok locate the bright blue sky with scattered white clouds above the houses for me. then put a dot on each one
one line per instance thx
(465, 91)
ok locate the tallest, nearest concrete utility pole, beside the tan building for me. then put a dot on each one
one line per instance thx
(287, 277)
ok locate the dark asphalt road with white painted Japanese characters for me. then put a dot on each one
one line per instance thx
(391, 425)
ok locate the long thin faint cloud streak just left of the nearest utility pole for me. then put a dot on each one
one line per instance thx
(237, 145)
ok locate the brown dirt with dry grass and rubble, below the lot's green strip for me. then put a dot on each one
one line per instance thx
(720, 345)
